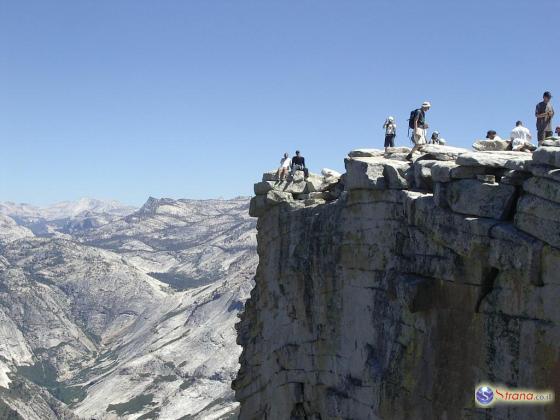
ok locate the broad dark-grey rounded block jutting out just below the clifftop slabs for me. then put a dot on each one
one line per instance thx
(472, 197)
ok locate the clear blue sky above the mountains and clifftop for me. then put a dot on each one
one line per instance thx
(124, 99)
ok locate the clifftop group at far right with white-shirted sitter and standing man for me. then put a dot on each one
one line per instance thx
(520, 137)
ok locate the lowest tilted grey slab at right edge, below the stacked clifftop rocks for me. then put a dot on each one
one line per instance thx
(540, 218)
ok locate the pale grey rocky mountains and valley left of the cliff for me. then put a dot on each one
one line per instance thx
(109, 313)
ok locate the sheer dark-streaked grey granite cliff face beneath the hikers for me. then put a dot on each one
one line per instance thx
(389, 304)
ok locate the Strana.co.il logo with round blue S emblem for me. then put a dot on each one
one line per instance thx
(487, 395)
